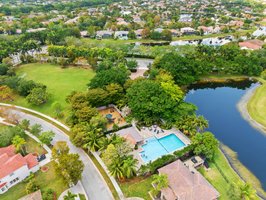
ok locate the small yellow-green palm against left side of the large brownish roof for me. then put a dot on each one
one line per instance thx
(160, 181)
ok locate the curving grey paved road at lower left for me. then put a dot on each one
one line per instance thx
(92, 181)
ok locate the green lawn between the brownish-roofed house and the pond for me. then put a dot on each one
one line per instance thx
(221, 180)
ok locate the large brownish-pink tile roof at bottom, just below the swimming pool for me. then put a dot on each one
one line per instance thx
(185, 185)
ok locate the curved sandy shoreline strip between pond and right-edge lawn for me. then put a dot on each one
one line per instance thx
(242, 108)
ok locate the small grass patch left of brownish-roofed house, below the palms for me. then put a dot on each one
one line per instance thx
(138, 187)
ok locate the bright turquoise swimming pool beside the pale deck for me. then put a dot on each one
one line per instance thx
(155, 148)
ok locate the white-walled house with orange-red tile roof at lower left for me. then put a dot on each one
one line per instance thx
(14, 167)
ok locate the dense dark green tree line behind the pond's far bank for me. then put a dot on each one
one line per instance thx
(227, 59)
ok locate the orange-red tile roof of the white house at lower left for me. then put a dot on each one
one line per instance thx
(10, 162)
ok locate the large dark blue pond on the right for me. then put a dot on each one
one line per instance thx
(218, 104)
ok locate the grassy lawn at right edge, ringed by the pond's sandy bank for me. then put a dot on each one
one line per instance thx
(257, 104)
